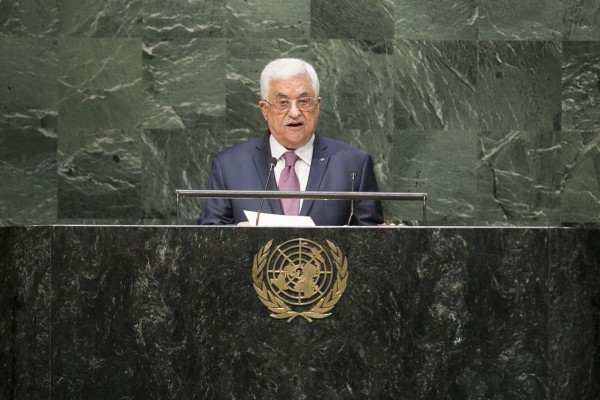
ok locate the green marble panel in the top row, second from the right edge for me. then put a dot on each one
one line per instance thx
(520, 20)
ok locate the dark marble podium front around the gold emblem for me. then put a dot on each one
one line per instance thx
(146, 312)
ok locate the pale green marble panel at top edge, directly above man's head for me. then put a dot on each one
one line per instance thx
(271, 19)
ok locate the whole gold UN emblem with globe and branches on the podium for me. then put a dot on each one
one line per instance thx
(300, 278)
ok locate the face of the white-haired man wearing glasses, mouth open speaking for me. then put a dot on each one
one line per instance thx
(292, 128)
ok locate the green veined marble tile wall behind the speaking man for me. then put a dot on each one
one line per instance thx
(491, 107)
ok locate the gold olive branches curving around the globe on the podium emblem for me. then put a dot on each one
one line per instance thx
(279, 308)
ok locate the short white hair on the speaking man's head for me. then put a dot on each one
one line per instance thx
(286, 68)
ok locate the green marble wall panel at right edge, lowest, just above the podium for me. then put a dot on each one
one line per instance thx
(580, 177)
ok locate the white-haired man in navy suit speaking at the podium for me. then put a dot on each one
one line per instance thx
(290, 105)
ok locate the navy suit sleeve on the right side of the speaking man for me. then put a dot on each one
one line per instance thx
(367, 212)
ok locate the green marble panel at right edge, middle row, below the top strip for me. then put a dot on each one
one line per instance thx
(581, 86)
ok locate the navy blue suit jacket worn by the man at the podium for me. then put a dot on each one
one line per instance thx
(245, 167)
